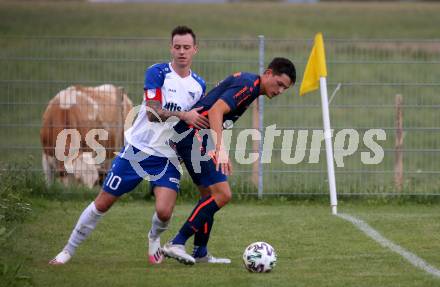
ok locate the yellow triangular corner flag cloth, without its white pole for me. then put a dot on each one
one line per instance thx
(315, 68)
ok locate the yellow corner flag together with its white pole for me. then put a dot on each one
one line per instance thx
(316, 71)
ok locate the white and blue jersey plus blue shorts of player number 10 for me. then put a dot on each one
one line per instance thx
(147, 154)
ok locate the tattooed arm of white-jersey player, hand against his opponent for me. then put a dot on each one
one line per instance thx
(191, 117)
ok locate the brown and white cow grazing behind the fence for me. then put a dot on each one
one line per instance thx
(77, 124)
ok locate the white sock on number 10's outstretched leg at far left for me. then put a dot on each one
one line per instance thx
(85, 225)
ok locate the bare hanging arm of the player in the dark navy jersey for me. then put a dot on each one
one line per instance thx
(215, 116)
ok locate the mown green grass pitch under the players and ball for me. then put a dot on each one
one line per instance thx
(314, 248)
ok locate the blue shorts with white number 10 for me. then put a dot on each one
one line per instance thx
(131, 166)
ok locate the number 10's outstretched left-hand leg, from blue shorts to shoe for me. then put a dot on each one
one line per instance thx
(120, 179)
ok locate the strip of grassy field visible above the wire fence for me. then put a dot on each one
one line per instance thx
(275, 20)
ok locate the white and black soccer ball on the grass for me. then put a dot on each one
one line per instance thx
(259, 257)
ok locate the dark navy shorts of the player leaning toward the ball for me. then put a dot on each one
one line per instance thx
(202, 171)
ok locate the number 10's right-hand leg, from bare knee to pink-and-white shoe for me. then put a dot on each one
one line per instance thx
(165, 202)
